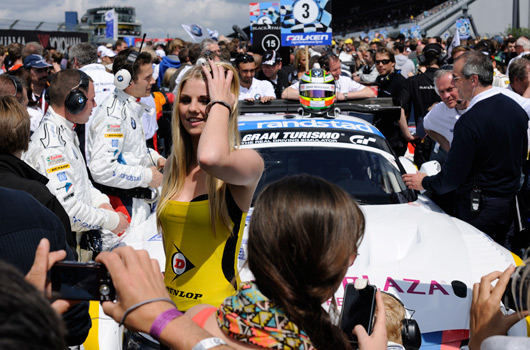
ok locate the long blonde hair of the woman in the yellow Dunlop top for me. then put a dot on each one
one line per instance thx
(182, 156)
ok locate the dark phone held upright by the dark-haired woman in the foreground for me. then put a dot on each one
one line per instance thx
(358, 307)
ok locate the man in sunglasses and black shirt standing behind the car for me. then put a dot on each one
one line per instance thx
(390, 84)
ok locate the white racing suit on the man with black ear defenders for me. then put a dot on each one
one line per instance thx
(54, 152)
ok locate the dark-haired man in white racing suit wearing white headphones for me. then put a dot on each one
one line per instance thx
(121, 165)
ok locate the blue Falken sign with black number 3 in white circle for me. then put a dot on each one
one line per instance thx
(305, 22)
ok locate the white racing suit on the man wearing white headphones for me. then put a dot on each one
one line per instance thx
(118, 154)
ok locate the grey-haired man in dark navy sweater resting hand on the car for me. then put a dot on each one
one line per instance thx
(489, 147)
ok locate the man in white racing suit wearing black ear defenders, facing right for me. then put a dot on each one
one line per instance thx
(54, 152)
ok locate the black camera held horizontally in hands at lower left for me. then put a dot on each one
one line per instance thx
(74, 280)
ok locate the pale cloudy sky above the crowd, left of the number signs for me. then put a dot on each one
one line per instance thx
(159, 17)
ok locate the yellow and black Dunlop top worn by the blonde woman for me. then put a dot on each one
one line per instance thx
(200, 266)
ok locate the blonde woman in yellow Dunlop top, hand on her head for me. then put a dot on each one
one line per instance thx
(207, 189)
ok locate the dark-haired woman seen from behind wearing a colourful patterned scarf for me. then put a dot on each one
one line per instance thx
(303, 236)
